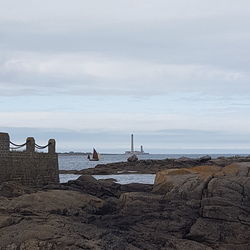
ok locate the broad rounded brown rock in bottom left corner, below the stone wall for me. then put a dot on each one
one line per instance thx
(54, 219)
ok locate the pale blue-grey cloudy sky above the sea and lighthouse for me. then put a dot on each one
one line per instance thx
(175, 73)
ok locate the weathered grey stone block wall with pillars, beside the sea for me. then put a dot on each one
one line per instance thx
(29, 167)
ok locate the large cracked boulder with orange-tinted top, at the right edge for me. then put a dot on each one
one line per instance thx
(223, 198)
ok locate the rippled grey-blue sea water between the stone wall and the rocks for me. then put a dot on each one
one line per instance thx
(79, 162)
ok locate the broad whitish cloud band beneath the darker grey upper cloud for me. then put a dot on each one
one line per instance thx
(83, 74)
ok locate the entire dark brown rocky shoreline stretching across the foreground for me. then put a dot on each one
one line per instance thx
(194, 204)
